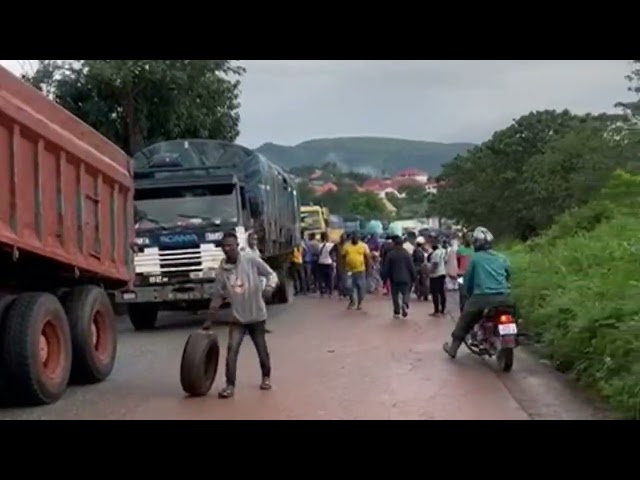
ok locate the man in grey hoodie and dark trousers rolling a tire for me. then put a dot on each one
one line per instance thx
(238, 281)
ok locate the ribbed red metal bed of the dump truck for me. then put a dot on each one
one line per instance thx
(66, 192)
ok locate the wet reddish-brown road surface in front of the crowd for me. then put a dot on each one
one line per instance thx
(328, 363)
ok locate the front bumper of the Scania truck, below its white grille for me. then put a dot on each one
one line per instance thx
(166, 293)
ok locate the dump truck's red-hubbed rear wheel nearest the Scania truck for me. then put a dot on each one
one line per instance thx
(93, 334)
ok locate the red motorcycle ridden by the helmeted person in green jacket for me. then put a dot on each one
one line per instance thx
(496, 335)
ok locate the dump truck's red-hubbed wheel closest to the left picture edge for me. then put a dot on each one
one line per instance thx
(36, 349)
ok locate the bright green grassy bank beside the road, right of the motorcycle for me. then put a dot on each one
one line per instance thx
(578, 291)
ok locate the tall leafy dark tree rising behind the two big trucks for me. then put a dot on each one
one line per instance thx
(138, 102)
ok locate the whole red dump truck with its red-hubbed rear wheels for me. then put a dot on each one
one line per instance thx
(66, 229)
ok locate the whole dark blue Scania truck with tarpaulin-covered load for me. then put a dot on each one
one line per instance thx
(187, 194)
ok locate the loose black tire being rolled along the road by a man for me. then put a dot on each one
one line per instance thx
(199, 364)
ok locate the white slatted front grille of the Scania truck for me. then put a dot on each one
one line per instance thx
(154, 261)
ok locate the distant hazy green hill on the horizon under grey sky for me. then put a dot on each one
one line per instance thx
(371, 155)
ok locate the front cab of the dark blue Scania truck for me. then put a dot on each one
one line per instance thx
(181, 215)
